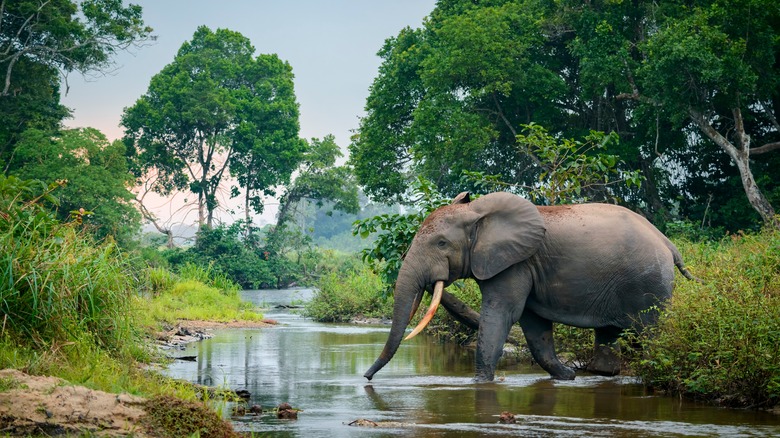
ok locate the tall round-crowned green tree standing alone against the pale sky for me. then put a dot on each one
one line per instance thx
(213, 109)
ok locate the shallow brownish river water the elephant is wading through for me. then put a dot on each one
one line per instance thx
(426, 390)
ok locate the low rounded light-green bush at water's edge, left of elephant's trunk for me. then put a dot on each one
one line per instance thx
(346, 294)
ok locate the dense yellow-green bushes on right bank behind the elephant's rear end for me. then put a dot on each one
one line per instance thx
(718, 340)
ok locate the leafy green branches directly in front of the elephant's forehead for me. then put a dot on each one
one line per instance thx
(396, 232)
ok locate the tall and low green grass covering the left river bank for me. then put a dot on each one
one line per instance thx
(76, 308)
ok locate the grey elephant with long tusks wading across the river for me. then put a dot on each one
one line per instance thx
(589, 265)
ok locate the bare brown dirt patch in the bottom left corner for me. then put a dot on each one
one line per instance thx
(36, 405)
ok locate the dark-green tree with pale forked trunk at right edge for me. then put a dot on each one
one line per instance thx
(714, 68)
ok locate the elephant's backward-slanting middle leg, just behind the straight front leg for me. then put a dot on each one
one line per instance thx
(539, 336)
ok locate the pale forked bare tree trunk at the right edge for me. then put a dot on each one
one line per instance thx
(741, 158)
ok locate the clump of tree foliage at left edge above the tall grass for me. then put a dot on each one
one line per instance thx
(41, 42)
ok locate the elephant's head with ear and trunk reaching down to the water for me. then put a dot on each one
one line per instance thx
(466, 239)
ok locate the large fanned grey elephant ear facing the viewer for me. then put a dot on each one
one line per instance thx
(508, 231)
